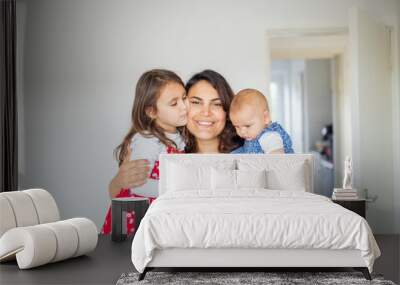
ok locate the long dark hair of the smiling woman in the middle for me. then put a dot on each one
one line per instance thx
(228, 138)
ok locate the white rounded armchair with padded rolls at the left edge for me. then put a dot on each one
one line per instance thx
(31, 232)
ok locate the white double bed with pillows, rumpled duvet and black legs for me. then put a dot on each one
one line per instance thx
(247, 210)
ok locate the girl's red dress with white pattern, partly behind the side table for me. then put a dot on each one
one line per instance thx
(125, 193)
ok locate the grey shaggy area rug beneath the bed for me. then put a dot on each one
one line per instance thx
(229, 278)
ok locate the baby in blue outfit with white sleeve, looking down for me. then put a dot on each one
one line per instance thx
(249, 113)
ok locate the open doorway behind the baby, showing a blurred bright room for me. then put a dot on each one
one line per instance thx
(308, 97)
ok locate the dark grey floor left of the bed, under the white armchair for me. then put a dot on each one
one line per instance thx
(102, 266)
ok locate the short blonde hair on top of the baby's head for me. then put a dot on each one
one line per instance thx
(249, 97)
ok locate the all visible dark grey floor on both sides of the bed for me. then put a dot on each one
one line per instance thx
(110, 260)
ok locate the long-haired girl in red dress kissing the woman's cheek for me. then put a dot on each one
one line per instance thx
(157, 112)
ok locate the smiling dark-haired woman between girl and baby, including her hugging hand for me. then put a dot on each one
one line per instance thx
(208, 129)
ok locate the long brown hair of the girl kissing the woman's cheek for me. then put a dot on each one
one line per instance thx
(148, 90)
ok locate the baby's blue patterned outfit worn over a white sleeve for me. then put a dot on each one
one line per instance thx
(254, 146)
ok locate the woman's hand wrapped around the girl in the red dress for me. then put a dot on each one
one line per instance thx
(131, 173)
